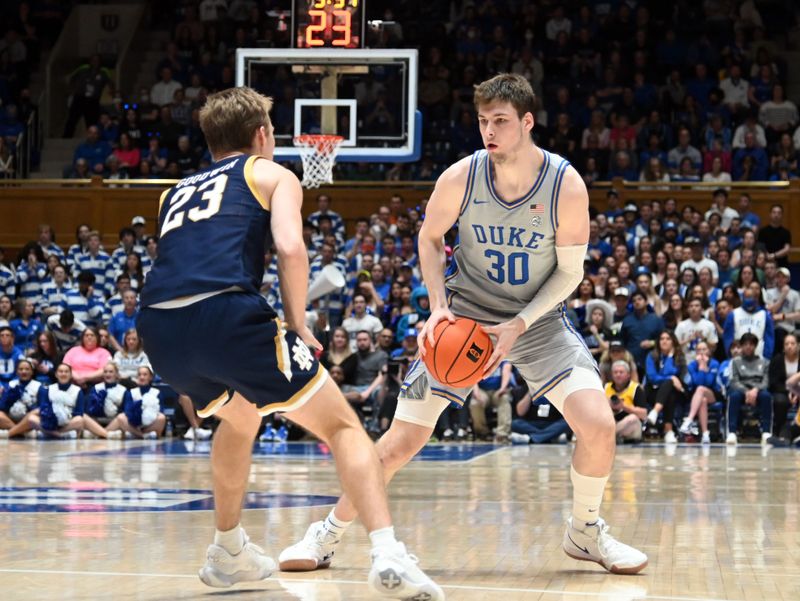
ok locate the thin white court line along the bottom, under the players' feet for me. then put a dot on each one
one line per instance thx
(610, 594)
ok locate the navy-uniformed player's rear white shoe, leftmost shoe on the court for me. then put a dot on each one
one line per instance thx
(223, 569)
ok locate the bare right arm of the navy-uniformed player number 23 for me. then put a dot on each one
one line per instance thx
(283, 189)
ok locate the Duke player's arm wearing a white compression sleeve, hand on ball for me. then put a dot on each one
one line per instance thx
(572, 240)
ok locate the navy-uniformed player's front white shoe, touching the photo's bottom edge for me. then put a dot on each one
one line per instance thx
(396, 575)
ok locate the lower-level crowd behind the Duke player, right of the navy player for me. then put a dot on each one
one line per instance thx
(687, 312)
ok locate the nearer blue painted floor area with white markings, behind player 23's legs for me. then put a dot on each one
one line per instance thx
(83, 498)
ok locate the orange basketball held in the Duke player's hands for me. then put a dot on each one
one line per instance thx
(459, 353)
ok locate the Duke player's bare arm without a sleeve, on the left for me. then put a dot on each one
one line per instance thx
(440, 215)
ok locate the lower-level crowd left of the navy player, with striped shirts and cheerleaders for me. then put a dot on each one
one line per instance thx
(71, 360)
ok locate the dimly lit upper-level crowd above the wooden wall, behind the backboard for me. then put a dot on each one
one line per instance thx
(673, 92)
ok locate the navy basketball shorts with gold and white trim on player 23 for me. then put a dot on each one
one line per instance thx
(228, 343)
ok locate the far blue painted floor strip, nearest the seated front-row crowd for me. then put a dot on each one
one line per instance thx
(291, 450)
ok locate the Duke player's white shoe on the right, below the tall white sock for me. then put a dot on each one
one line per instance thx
(594, 543)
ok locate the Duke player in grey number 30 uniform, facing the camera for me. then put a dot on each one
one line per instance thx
(515, 264)
